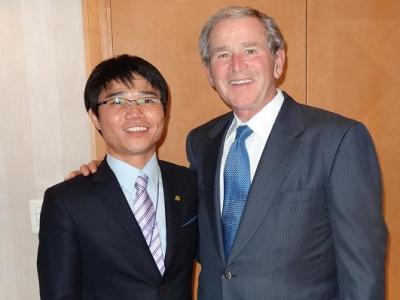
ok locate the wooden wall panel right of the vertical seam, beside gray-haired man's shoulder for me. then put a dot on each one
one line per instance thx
(354, 69)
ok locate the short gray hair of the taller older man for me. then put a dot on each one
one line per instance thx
(275, 40)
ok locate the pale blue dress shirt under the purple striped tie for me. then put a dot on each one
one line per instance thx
(127, 174)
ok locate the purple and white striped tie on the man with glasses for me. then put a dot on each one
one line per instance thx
(144, 212)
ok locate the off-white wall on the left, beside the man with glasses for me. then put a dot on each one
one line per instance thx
(44, 132)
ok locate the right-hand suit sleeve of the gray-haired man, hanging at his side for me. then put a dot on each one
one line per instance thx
(359, 231)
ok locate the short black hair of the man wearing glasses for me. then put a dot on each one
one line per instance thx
(122, 68)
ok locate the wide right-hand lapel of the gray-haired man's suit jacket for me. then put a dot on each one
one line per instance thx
(274, 166)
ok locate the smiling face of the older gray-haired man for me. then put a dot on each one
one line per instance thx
(242, 69)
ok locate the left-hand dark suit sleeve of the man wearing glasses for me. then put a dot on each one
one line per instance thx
(58, 254)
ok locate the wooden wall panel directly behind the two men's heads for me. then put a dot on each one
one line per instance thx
(166, 32)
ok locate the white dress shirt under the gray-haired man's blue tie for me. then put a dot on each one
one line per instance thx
(261, 124)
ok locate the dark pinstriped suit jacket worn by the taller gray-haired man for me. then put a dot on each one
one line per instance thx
(312, 227)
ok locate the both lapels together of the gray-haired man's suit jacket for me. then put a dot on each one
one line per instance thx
(275, 164)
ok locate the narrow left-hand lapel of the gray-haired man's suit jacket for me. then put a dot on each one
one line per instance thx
(212, 165)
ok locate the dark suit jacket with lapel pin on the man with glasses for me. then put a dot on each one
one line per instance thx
(91, 247)
